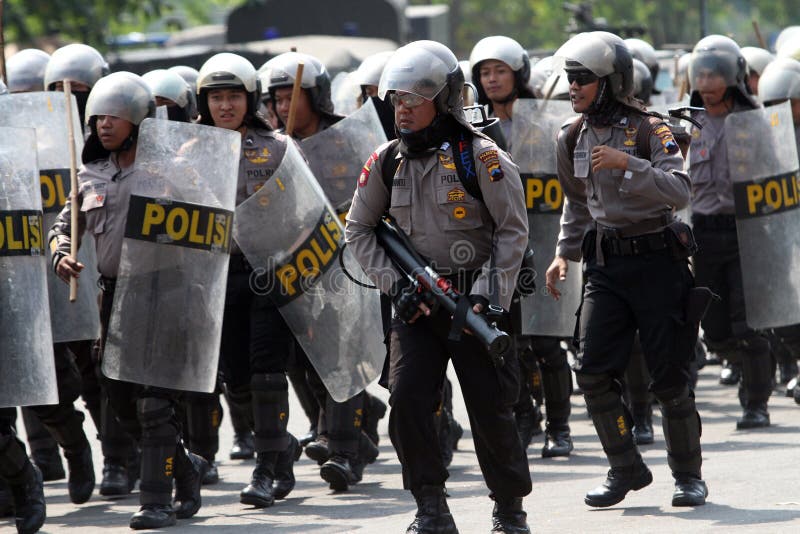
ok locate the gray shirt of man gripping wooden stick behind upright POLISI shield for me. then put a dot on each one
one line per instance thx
(103, 194)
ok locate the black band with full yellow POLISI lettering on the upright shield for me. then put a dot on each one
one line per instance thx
(170, 222)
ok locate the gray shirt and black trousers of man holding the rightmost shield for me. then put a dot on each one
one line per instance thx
(717, 263)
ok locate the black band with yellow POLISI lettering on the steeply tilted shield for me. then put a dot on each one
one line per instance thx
(310, 260)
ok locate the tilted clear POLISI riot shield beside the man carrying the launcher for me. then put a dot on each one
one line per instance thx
(337, 323)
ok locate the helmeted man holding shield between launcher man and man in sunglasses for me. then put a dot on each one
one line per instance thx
(501, 69)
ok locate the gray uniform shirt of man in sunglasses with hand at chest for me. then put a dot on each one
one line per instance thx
(613, 197)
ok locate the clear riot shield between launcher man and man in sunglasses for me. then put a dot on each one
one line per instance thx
(534, 132)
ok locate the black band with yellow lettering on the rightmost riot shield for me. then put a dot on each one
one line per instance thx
(766, 196)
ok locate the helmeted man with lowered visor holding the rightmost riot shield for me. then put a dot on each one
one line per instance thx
(718, 74)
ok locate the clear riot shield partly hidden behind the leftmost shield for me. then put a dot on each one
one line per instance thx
(46, 112)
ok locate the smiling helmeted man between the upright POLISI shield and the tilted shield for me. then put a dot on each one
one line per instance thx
(256, 343)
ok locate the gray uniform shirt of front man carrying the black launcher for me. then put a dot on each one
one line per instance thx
(445, 223)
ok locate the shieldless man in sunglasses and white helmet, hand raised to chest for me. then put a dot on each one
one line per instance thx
(618, 217)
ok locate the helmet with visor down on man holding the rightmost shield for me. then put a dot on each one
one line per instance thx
(722, 56)
